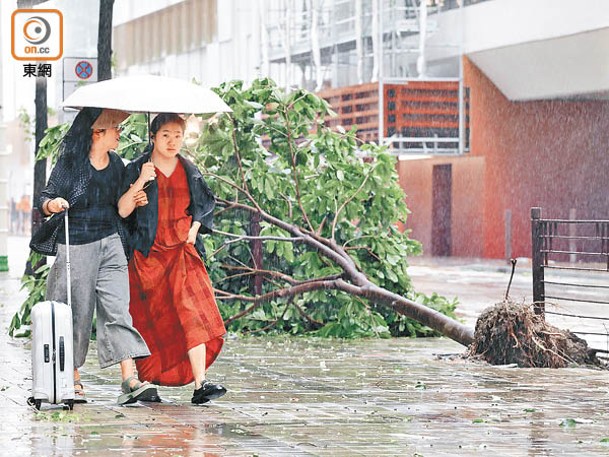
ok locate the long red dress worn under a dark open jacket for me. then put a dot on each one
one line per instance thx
(172, 300)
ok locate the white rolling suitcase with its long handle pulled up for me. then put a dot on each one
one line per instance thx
(52, 348)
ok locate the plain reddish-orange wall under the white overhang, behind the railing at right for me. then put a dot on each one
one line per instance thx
(552, 153)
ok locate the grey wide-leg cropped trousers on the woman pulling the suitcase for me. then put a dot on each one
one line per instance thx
(100, 283)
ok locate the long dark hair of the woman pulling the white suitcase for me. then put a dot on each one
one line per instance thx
(77, 142)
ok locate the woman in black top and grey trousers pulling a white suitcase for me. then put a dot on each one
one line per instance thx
(86, 179)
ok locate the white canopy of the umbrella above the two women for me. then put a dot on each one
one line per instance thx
(148, 93)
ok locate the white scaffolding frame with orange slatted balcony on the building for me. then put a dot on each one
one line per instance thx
(329, 46)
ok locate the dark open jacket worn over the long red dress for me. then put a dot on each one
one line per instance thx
(143, 221)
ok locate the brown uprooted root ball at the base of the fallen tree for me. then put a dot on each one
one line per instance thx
(510, 333)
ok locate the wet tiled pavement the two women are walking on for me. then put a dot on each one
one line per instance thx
(312, 397)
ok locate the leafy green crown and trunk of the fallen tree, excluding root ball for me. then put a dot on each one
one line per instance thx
(322, 208)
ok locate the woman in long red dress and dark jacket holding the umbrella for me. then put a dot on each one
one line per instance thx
(172, 300)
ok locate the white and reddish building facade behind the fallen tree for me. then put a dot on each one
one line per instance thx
(492, 106)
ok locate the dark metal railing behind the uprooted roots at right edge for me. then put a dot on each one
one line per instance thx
(570, 266)
